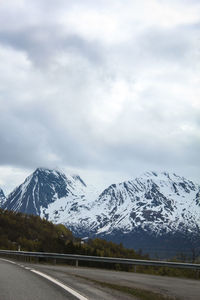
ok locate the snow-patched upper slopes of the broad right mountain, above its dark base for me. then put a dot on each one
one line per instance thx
(160, 203)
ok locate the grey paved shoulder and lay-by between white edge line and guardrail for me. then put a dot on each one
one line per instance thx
(183, 289)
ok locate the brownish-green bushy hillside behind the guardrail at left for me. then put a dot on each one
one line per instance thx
(31, 233)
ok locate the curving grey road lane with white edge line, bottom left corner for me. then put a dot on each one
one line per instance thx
(19, 281)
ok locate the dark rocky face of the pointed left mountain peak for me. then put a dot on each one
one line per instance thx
(40, 189)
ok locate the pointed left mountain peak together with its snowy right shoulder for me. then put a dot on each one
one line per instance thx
(44, 187)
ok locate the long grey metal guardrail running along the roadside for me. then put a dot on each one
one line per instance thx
(114, 260)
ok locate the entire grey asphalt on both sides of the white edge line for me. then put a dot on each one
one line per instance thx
(20, 283)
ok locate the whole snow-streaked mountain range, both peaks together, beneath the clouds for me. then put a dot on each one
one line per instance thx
(156, 211)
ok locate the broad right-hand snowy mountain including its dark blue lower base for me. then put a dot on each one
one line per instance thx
(155, 212)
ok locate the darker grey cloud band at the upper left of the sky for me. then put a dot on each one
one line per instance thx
(42, 43)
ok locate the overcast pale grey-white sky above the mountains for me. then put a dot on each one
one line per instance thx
(108, 89)
